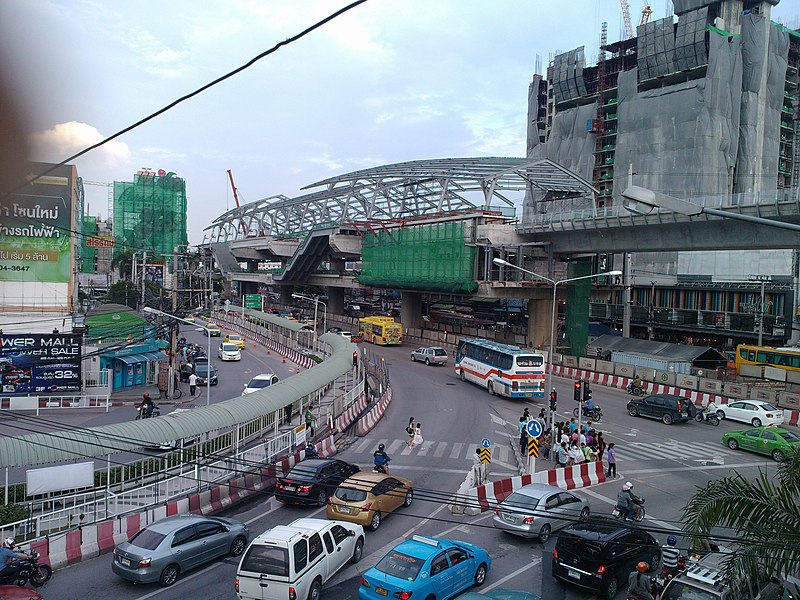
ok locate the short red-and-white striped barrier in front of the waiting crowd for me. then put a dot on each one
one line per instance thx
(487, 497)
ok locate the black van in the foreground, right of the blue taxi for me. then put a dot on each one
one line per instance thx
(599, 555)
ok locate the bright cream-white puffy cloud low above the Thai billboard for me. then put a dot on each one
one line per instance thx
(65, 139)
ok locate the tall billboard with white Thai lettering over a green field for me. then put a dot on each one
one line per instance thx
(36, 254)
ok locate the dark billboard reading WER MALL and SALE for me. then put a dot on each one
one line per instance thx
(40, 363)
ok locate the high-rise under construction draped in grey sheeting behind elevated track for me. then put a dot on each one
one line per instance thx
(701, 103)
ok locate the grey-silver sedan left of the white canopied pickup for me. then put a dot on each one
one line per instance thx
(164, 550)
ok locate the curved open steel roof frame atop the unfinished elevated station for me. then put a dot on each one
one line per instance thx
(402, 190)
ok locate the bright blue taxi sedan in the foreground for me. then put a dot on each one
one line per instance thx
(423, 567)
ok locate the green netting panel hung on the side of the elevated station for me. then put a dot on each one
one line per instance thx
(432, 257)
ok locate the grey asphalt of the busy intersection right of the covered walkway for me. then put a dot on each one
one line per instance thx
(665, 463)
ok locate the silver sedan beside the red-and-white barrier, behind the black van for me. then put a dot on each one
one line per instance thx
(537, 509)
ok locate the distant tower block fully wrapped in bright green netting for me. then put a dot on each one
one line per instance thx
(150, 213)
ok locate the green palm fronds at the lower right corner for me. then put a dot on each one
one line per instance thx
(764, 513)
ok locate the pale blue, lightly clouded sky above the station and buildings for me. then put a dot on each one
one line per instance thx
(389, 81)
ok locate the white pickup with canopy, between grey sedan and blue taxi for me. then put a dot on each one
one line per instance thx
(295, 560)
